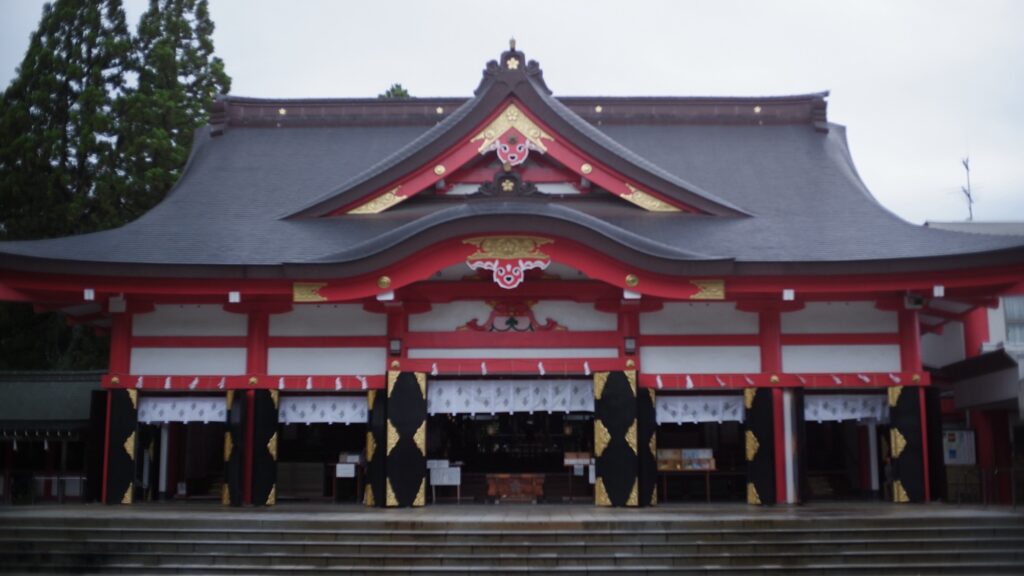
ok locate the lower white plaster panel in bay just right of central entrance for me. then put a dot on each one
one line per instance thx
(700, 360)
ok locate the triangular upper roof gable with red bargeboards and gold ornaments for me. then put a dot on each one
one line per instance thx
(515, 139)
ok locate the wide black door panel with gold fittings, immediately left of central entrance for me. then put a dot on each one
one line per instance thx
(406, 452)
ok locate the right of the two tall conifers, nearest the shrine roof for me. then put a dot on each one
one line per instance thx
(179, 79)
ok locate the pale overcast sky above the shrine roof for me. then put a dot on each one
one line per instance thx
(919, 85)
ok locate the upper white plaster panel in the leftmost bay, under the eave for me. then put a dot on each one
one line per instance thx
(190, 320)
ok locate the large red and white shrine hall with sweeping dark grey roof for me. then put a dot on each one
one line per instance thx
(698, 296)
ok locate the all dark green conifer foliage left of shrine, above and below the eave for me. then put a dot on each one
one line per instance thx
(95, 131)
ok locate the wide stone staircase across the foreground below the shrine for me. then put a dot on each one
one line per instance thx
(476, 540)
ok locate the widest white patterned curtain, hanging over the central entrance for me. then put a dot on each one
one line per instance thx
(497, 397)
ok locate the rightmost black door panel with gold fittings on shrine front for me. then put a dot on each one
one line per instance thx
(906, 444)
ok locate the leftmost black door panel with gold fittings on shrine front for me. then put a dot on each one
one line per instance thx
(122, 435)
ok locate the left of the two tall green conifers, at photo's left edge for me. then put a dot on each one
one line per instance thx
(58, 122)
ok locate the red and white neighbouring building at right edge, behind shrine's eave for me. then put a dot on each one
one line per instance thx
(978, 354)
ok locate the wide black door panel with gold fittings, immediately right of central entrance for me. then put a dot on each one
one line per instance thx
(616, 440)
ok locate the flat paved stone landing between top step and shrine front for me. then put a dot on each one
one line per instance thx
(510, 513)
